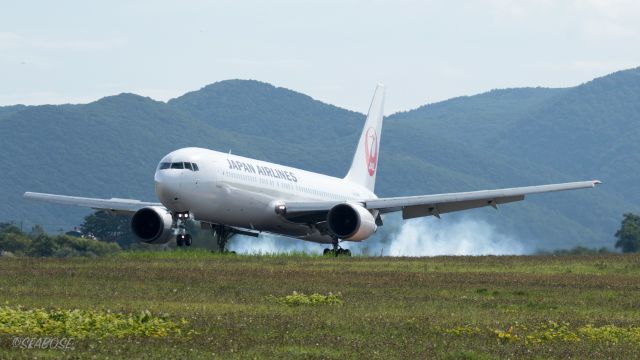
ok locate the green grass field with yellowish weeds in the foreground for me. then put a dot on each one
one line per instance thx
(237, 306)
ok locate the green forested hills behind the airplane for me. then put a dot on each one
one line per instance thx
(502, 138)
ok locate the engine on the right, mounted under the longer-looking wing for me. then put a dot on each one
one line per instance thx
(351, 222)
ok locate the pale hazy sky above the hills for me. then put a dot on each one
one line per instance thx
(335, 51)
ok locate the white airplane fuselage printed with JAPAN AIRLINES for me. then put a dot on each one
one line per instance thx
(243, 192)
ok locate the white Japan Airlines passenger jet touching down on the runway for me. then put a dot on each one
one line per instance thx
(231, 194)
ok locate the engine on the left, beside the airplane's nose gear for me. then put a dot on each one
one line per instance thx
(152, 225)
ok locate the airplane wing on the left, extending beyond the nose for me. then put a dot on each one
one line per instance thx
(121, 206)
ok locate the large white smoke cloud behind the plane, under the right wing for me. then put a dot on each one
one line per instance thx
(465, 237)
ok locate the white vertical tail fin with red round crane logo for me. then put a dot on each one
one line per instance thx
(365, 161)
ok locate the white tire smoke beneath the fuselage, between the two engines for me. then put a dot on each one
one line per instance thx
(269, 244)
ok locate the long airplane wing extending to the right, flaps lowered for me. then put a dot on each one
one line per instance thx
(418, 206)
